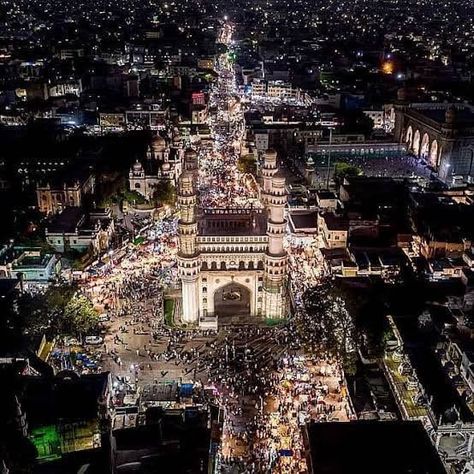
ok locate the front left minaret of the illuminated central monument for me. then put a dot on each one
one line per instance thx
(188, 255)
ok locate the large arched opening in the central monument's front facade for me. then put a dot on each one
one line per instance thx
(232, 299)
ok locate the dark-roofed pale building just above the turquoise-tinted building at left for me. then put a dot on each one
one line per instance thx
(75, 230)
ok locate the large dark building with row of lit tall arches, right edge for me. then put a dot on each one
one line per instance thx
(440, 134)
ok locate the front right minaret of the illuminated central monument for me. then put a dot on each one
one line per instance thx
(275, 304)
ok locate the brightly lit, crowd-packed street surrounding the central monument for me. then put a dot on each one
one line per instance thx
(269, 380)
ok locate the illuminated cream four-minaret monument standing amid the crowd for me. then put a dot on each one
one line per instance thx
(231, 261)
